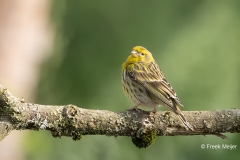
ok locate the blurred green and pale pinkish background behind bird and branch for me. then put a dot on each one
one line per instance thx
(70, 52)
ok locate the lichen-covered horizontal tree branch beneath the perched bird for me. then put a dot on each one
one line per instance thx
(142, 126)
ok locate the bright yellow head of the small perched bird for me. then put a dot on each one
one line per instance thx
(138, 54)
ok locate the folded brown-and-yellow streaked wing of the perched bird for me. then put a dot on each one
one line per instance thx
(151, 77)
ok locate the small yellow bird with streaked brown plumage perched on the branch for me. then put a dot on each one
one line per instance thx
(144, 83)
